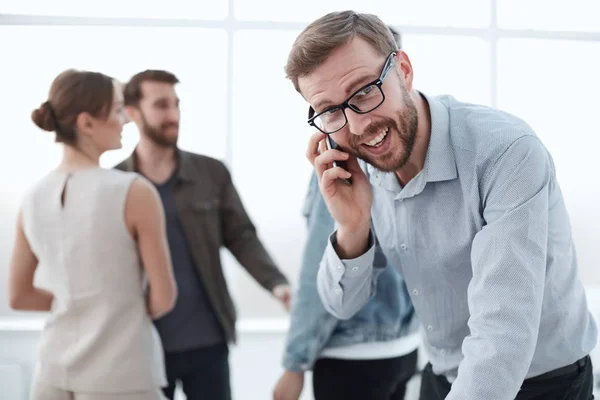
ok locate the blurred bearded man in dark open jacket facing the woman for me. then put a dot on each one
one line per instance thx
(203, 212)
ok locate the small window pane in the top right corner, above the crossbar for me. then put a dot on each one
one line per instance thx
(574, 15)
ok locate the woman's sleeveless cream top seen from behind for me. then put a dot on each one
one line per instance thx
(99, 336)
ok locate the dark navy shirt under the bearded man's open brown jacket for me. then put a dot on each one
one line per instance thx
(192, 323)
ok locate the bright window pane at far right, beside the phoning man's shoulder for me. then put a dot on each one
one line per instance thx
(554, 86)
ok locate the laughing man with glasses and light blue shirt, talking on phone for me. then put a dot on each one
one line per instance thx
(464, 200)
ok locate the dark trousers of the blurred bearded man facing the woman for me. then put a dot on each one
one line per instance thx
(203, 373)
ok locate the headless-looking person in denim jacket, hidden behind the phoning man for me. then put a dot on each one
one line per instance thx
(369, 356)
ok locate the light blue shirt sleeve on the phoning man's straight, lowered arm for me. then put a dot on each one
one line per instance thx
(508, 258)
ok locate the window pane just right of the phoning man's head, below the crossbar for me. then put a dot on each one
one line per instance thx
(455, 65)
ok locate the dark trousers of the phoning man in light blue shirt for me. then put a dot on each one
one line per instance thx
(574, 385)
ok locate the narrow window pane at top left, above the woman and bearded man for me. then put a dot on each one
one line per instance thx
(207, 10)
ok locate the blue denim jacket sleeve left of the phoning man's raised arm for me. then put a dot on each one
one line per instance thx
(311, 325)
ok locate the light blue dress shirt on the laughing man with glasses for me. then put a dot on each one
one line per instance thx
(483, 240)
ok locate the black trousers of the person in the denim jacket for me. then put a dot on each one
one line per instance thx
(383, 379)
